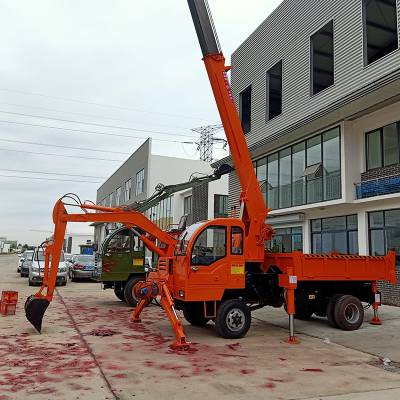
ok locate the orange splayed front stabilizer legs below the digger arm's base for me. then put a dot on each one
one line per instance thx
(147, 291)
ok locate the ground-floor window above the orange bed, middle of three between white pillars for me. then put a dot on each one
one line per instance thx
(335, 235)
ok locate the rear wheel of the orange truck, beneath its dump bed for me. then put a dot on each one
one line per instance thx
(348, 313)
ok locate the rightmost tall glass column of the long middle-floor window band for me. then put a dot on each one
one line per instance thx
(331, 164)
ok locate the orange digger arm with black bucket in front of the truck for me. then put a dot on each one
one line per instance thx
(36, 305)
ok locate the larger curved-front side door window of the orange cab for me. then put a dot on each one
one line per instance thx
(210, 246)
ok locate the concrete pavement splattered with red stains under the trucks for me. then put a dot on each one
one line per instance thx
(69, 361)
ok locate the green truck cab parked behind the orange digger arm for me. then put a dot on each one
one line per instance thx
(120, 263)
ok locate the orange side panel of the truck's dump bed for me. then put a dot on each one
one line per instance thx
(308, 267)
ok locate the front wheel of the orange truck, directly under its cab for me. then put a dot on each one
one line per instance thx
(233, 319)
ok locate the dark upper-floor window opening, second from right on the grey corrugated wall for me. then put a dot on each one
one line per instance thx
(322, 59)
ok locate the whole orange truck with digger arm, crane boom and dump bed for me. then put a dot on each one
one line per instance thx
(219, 269)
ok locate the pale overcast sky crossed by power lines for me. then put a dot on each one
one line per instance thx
(128, 63)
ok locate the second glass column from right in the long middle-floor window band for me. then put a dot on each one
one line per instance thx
(314, 181)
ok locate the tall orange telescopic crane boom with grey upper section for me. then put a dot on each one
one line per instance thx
(253, 208)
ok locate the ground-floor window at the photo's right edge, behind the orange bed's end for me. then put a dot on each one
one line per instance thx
(384, 232)
